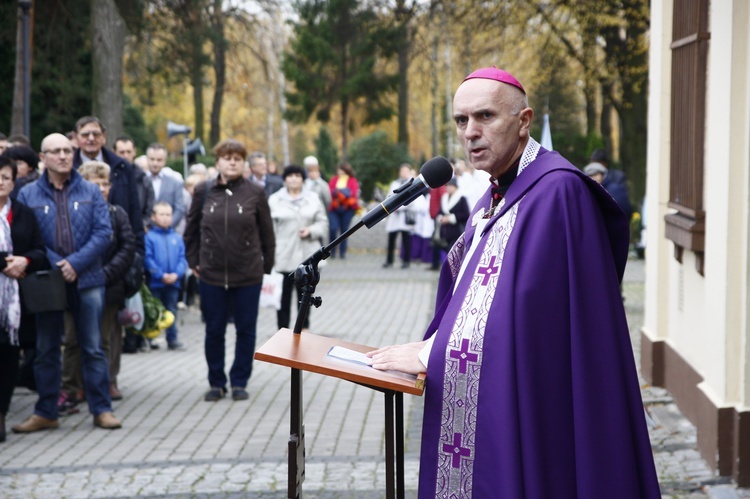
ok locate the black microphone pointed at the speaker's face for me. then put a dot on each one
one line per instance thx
(434, 173)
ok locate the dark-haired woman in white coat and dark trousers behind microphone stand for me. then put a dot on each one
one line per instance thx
(299, 222)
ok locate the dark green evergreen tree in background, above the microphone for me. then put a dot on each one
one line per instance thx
(336, 60)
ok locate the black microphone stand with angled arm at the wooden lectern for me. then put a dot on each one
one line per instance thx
(306, 277)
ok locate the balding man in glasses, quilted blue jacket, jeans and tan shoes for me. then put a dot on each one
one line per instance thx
(75, 226)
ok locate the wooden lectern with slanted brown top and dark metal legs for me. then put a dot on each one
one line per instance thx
(309, 352)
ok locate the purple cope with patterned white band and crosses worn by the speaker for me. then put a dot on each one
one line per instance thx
(532, 390)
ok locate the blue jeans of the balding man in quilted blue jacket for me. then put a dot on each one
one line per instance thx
(86, 306)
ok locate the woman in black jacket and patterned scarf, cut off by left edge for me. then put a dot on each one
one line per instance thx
(22, 250)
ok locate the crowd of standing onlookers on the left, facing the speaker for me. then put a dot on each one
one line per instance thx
(82, 216)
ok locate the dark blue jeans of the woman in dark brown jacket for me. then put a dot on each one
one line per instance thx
(215, 305)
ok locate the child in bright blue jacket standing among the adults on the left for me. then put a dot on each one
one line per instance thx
(166, 265)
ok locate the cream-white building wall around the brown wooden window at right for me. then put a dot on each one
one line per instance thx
(705, 319)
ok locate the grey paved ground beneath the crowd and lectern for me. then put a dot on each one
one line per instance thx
(173, 444)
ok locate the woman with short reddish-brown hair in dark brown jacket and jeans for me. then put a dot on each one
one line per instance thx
(230, 244)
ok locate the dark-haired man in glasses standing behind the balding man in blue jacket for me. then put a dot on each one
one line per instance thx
(92, 135)
